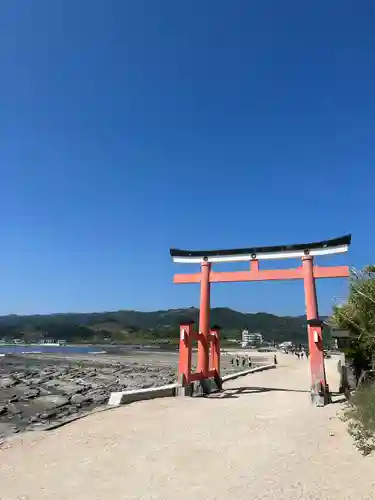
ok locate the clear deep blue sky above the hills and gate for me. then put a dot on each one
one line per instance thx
(128, 127)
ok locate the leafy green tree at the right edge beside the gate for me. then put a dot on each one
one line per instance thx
(357, 316)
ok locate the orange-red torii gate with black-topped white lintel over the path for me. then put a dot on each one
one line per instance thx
(307, 271)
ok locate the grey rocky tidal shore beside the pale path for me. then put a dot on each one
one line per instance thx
(40, 391)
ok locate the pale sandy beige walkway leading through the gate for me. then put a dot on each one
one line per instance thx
(261, 439)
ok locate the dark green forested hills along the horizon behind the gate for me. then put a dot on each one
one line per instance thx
(136, 326)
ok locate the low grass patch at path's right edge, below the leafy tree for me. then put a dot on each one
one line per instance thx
(361, 418)
